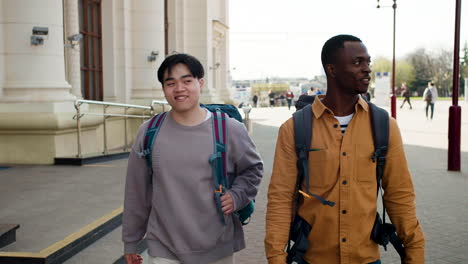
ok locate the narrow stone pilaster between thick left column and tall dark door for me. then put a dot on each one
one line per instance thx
(72, 50)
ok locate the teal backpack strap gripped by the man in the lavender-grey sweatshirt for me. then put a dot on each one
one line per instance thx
(218, 159)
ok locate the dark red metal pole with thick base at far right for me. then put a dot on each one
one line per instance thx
(454, 134)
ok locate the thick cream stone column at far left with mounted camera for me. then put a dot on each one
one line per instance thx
(35, 73)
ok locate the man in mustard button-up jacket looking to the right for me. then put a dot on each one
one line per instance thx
(341, 170)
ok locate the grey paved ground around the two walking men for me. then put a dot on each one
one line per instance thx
(50, 202)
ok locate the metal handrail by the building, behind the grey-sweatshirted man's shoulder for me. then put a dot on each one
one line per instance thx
(107, 115)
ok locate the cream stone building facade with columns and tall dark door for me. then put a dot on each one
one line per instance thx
(53, 52)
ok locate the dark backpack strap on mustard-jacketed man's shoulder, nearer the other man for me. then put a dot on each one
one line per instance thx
(303, 122)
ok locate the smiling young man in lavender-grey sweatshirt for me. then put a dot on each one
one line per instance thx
(176, 209)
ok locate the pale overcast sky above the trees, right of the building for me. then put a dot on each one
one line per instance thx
(284, 38)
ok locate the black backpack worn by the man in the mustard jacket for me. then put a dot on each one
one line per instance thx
(382, 233)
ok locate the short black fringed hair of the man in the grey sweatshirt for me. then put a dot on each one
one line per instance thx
(193, 64)
